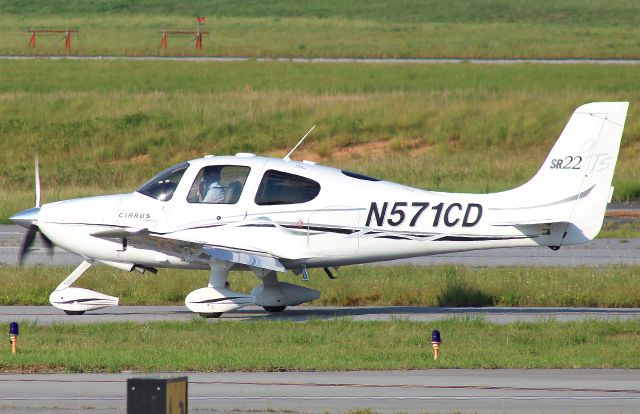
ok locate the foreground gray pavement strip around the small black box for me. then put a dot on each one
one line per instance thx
(443, 391)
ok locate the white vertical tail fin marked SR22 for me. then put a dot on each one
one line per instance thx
(573, 186)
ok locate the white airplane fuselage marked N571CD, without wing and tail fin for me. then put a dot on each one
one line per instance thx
(309, 214)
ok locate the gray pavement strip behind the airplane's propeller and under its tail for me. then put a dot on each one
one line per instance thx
(600, 252)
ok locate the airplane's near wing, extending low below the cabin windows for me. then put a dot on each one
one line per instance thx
(142, 238)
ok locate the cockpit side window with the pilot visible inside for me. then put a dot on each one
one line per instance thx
(218, 184)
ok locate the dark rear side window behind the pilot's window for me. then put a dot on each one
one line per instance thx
(279, 187)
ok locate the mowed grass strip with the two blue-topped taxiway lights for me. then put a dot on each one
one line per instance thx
(341, 344)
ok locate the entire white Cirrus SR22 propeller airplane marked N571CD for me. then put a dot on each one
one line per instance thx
(267, 215)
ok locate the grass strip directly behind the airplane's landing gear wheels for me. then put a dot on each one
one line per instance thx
(447, 286)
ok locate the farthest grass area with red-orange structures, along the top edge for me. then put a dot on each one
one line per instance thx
(378, 28)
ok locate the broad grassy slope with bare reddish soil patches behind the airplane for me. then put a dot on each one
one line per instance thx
(106, 127)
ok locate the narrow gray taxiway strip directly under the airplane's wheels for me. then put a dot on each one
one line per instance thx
(49, 314)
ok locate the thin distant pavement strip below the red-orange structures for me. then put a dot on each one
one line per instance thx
(334, 60)
